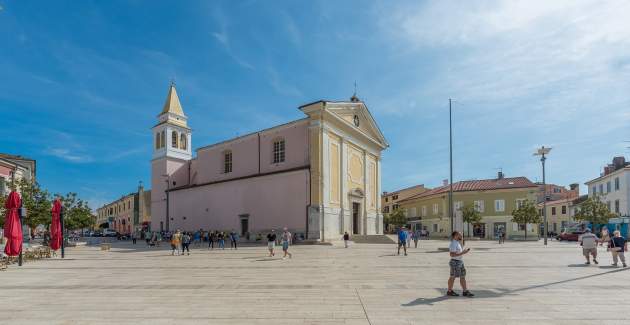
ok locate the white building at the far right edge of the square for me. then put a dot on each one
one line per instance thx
(613, 186)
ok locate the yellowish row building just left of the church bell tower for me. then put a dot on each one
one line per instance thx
(129, 213)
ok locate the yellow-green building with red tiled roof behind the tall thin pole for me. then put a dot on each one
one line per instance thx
(494, 199)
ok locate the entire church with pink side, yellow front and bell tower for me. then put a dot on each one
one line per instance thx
(319, 176)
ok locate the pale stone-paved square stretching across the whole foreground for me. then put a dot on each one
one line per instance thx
(515, 283)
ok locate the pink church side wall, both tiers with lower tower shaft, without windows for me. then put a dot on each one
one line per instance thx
(269, 200)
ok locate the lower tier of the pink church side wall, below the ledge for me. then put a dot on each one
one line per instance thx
(272, 201)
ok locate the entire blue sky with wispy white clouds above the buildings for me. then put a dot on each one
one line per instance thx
(81, 82)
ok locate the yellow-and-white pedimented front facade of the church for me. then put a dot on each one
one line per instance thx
(345, 161)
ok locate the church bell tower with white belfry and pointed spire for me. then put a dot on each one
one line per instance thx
(171, 150)
